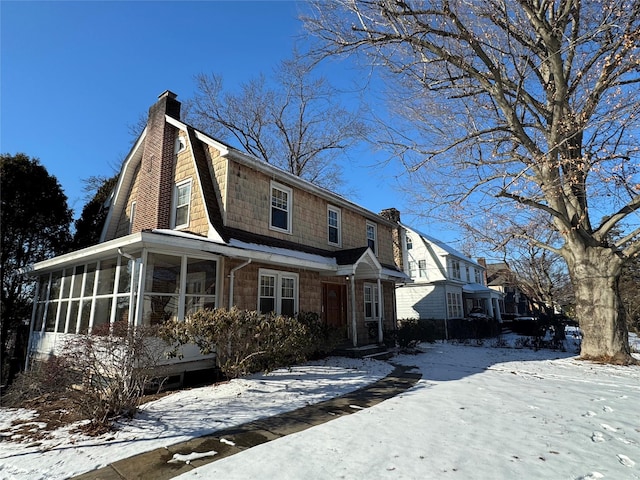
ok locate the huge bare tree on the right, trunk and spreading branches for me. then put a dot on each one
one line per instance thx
(523, 106)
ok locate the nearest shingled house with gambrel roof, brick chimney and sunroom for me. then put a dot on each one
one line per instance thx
(194, 223)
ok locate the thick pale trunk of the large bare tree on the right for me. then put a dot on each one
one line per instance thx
(595, 273)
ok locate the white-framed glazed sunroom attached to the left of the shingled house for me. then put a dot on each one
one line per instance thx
(142, 279)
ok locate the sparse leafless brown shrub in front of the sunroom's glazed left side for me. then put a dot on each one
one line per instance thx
(103, 375)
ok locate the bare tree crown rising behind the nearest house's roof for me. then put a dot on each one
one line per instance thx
(294, 121)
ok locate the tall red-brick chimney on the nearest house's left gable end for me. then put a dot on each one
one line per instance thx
(155, 184)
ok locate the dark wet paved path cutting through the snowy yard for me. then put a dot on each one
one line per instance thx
(154, 465)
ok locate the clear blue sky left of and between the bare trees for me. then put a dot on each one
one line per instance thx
(76, 75)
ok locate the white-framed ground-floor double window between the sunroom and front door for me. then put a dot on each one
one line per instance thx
(278, 292)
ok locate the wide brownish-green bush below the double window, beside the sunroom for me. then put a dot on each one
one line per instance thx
(247, 341)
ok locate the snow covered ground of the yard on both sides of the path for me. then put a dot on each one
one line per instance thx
(479, 412)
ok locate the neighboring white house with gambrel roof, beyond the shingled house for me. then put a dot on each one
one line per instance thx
(446, 284)
